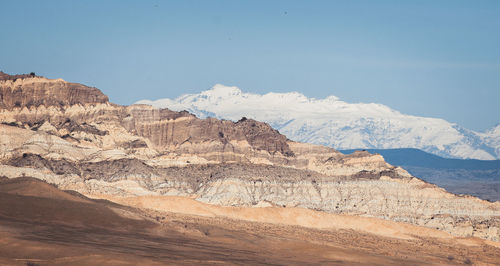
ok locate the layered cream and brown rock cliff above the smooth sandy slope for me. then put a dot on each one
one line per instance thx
(71, 136)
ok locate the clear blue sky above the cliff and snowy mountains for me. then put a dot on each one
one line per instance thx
(428, 58)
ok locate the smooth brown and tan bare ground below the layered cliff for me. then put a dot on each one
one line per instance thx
(45, 226)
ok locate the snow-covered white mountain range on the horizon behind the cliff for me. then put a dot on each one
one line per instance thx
(338, 124)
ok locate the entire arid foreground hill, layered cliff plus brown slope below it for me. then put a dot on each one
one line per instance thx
(85, 182)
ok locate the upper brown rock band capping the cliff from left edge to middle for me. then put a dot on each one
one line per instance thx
(167, 131)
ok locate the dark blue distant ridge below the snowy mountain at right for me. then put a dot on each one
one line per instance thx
(474, 177)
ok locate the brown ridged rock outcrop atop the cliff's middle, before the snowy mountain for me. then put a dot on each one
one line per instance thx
(166, 129)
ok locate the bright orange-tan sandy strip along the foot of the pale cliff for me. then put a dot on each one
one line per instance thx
(291, 216)
